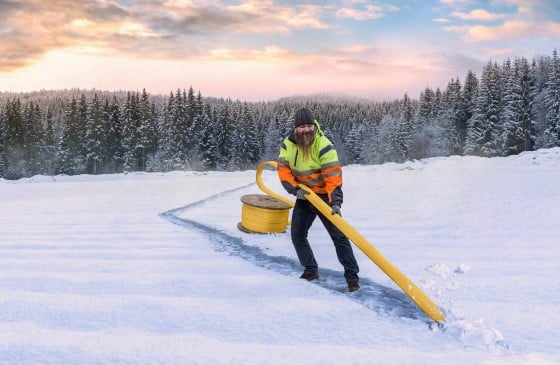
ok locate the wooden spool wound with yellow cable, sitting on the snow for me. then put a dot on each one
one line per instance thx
(263, 214)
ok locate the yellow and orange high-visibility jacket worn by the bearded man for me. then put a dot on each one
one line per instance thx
(321, 172)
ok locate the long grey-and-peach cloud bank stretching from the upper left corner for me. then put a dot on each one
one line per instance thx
(154, 29)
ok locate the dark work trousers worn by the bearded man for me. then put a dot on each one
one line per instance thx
(303, 215)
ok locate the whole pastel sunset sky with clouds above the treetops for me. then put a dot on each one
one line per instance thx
(265, 49)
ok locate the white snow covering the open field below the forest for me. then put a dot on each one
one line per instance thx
(150, 268)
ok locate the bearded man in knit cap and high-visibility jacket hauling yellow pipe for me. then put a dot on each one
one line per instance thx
(308, 157)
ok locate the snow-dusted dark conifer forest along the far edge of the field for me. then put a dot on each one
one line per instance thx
(512, 107)
